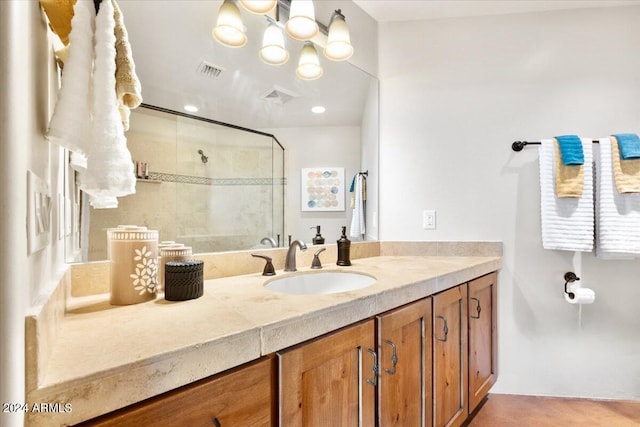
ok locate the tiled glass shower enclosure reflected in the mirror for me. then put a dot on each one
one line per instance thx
(210, 185)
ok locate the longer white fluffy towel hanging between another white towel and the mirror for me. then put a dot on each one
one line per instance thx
(109, 165)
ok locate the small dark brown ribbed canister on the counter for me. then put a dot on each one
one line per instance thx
(183, 280)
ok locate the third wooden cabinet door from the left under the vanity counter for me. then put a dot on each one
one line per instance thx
(450, 362)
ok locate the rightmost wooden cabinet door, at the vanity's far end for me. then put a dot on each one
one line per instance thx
(483, 346)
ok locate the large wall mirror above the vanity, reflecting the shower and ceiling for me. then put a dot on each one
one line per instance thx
(179, 63)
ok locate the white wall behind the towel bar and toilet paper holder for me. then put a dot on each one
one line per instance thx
(454, 95)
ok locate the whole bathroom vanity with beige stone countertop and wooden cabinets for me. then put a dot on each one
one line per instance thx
(421, 341)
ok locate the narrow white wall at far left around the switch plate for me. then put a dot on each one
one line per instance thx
(28, 80)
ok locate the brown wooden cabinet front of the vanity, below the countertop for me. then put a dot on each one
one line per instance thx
(428, 363)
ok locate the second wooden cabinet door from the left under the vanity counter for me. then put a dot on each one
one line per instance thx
(405, 387)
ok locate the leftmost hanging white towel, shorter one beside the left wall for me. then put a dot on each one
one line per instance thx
(70, 125)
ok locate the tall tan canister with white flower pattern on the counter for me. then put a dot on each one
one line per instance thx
(133, 252)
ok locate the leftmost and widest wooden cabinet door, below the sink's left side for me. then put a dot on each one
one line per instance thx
(330, 381)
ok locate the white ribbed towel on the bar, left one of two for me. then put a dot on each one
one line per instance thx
(567, 223)
